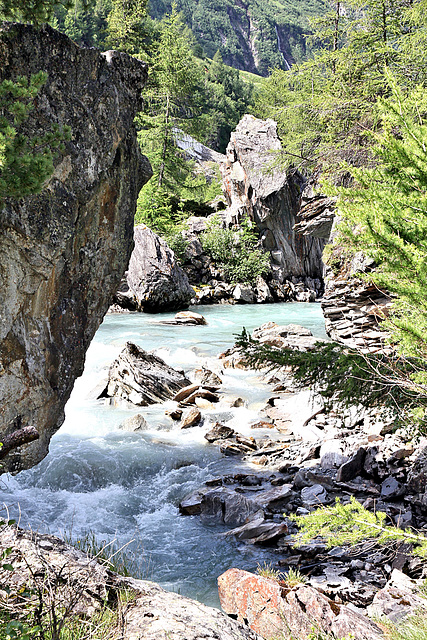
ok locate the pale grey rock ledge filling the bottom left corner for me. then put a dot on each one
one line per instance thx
(69, 579)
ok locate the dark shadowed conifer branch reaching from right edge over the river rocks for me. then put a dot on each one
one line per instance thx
(345, 377)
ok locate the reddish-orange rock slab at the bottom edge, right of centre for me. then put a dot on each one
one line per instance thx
(272, 609)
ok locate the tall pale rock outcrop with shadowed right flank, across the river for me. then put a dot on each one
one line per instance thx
(270, 197)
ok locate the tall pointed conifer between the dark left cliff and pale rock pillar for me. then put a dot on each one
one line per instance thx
(169, 109)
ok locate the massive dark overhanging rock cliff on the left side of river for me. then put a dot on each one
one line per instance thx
(63, 252)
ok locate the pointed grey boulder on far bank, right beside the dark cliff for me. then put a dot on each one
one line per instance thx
(154, 281)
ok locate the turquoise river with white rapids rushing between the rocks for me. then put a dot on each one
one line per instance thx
(121, 487)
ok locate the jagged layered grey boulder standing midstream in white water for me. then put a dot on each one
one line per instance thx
(143, 378)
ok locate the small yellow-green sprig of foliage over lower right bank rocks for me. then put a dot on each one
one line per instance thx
(352, 523)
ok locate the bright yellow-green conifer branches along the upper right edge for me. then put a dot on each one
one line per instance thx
(385, 216)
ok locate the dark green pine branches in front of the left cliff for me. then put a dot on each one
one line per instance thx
(25, 163)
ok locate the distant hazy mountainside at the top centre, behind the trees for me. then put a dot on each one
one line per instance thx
(252, 35)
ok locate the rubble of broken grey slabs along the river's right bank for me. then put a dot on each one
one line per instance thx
(311, 457)
